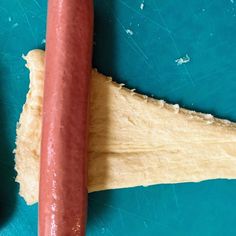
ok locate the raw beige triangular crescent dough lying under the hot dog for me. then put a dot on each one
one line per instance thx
(134, 140)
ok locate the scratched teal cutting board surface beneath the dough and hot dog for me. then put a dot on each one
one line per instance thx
(137, 47)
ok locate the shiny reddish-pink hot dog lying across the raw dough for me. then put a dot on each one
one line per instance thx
(63, 173)
